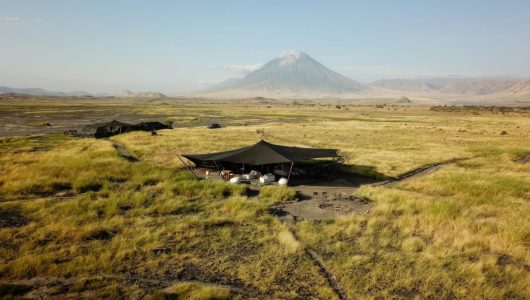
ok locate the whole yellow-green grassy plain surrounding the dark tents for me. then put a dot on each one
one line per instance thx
(78, 220)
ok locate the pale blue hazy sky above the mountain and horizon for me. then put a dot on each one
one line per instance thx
(176, 46)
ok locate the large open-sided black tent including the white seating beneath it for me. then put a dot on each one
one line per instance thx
(266, 163)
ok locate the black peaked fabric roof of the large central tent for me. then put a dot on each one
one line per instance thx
(263, 153)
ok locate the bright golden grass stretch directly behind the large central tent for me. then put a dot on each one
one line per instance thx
(390, 142)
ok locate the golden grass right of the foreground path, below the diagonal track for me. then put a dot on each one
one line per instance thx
(458, 232)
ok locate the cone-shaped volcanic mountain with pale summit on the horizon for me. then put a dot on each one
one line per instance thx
(293, 73)
